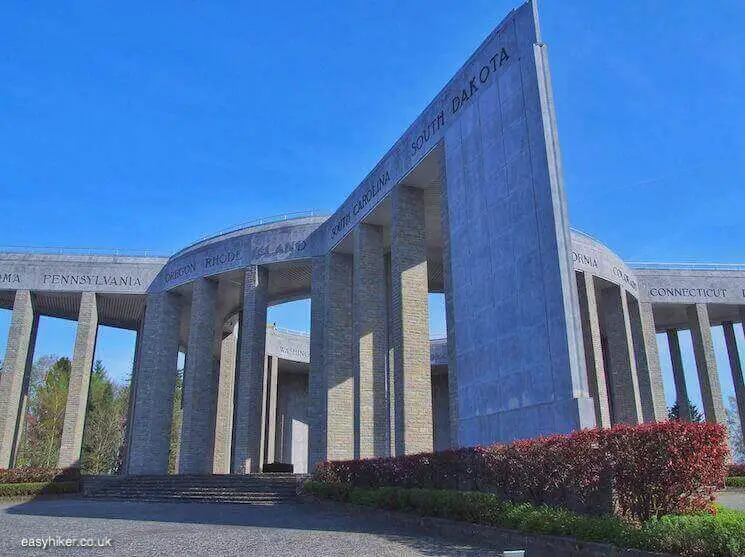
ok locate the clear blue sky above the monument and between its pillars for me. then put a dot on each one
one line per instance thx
(146, 125)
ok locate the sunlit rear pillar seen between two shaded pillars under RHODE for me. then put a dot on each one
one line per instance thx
(224, 409)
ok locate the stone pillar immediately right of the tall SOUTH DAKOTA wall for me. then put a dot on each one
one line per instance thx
(588, 306)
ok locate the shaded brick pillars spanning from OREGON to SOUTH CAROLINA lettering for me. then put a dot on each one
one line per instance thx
(369, 384)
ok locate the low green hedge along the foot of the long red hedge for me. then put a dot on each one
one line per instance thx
(700, 535)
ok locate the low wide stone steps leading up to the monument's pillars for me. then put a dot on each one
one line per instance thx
(255, 489)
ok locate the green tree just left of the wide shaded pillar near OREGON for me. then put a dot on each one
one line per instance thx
(104, 423)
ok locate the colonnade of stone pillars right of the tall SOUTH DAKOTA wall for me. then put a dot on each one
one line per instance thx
(623, 364)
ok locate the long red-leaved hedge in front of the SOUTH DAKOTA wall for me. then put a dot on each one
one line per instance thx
(636, 471)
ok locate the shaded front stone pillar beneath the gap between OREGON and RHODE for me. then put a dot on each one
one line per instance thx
(198, 425)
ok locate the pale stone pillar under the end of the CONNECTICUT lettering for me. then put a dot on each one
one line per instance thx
(706, 364)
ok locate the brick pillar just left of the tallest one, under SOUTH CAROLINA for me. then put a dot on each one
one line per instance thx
(370, 342)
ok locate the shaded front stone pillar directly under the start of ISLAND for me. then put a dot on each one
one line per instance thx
(249, 384)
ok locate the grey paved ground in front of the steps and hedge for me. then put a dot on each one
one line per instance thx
(139, 528)
